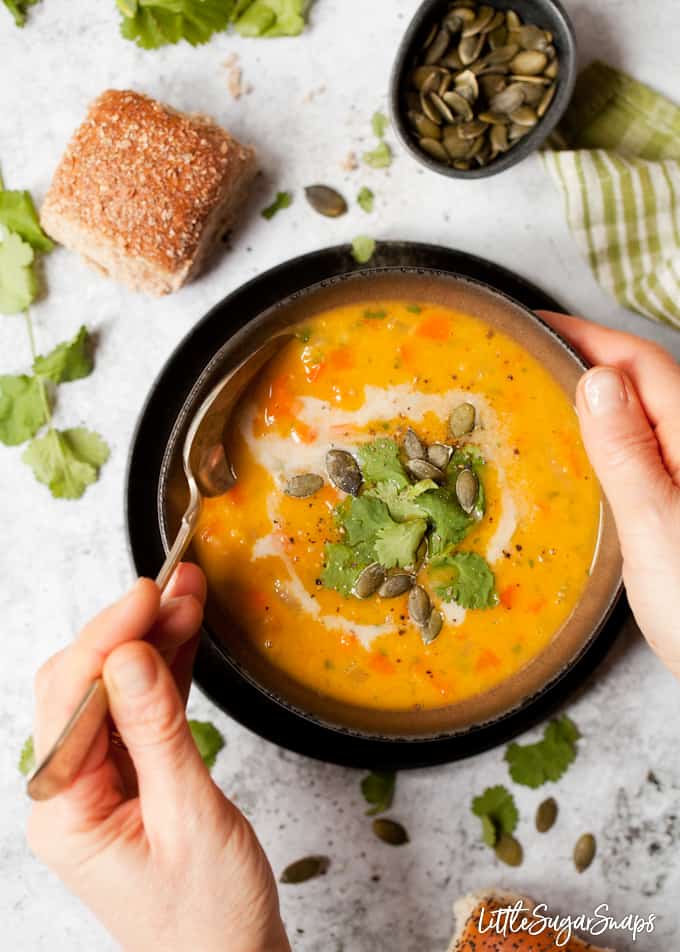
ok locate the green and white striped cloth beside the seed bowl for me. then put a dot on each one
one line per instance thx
(616, 160)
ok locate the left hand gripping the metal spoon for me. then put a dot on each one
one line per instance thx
(144, 837)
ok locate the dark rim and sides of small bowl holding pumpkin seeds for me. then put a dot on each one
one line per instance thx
(532, 141)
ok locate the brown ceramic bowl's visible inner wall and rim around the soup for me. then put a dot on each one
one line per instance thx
(569, 642)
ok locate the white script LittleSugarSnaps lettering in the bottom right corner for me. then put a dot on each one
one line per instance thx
(509, 920)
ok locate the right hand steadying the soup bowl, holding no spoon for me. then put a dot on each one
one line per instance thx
(628, 406)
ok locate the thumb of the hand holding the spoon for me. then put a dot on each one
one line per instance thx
(149, 715)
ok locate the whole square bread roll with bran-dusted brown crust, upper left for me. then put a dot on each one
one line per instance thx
(143, 192)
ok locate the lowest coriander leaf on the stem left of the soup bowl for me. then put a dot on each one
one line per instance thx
(66, 460)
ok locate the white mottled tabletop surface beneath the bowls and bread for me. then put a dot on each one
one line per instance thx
(62, 561)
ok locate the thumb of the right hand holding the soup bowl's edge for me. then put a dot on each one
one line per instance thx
(622, 448)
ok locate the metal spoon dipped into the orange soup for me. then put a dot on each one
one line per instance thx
(208, 473)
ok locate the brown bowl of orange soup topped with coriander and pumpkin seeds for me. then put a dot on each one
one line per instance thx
(415, 543)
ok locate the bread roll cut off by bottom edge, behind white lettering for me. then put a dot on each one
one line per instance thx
(468, 937)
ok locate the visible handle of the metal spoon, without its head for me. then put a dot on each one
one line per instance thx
(61, 764)
